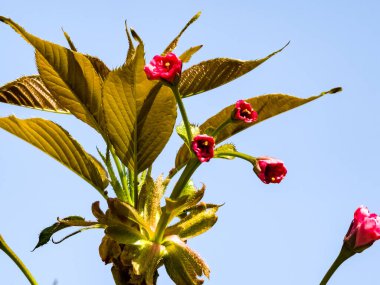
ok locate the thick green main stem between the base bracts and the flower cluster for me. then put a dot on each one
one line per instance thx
(184, 178)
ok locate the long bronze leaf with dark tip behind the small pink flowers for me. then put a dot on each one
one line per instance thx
(266, 106)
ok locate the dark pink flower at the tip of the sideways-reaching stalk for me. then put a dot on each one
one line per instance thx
(270, 170)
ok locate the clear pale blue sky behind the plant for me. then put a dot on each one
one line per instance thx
(266, 234)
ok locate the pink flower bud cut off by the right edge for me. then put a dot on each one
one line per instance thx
(364, 229)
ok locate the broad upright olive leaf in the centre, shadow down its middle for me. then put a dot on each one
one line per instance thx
(140, 114)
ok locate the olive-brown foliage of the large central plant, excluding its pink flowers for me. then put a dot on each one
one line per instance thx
(135, 116)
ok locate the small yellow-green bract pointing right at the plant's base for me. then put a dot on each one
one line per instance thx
(195, 223)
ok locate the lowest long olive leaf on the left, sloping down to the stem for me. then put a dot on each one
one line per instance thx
(57, 142)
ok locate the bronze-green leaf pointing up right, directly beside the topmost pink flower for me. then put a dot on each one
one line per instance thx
(213, 73)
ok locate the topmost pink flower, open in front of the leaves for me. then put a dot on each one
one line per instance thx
(167, 68)
